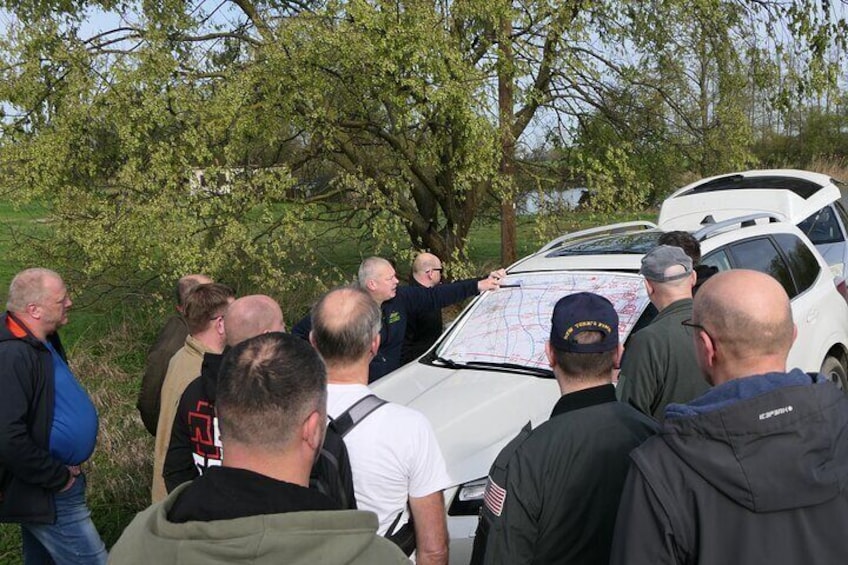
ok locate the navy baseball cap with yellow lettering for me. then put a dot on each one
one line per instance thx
(580, 312)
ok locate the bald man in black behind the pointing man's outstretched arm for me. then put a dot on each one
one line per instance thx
(424, 327)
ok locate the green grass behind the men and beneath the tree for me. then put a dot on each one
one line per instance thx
(107, 344)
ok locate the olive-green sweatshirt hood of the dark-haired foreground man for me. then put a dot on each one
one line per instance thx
(326, 536)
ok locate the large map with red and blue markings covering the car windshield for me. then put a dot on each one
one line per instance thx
(509, 327)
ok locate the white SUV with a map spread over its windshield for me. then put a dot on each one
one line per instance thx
(487, 376)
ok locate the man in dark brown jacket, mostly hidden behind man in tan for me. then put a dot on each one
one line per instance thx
(171, 338)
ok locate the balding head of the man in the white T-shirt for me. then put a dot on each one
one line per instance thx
(344, 332)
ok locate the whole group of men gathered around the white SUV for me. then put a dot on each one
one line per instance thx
(707, 451)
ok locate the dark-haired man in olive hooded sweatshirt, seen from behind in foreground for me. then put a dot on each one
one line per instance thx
(256, 507)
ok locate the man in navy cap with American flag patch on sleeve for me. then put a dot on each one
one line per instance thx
(553, 492)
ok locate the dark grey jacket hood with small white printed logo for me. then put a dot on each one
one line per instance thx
(781, 449)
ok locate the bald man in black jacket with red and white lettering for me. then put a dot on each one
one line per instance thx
(195, 442)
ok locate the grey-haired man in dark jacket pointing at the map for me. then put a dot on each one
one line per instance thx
(378, 278)
